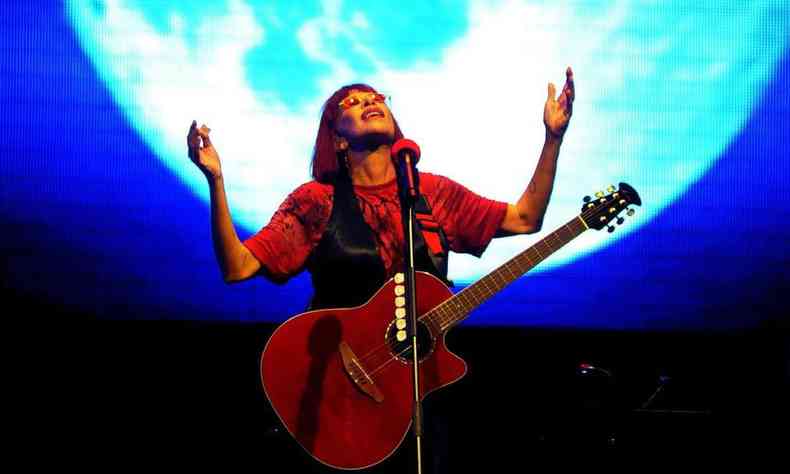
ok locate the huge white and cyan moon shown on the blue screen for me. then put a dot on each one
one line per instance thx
(467, 81)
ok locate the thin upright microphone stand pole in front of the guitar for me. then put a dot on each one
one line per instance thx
(408, 179)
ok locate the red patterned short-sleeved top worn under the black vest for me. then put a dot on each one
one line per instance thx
(283, 246)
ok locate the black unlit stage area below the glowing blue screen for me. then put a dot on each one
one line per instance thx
(100, 393)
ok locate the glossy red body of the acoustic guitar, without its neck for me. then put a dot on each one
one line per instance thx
(341, 422)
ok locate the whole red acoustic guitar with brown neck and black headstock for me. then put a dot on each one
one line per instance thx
(340, 379)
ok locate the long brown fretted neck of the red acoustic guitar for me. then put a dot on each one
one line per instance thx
(457, 308)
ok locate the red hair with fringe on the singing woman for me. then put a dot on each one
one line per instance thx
(328, 162)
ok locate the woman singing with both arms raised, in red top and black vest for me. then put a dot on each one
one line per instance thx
(345, 226)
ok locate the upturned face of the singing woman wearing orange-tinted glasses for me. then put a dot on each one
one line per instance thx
(365, 120)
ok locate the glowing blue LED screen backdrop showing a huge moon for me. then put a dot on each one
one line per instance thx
(685, 101)
